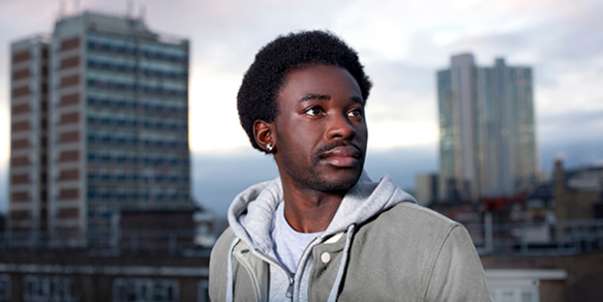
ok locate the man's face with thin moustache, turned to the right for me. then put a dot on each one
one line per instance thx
(320, 129)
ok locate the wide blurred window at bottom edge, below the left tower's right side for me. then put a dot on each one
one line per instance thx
(145, 289)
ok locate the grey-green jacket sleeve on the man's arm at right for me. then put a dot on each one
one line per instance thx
(457, 273)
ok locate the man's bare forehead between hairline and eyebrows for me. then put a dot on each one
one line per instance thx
(319, 79)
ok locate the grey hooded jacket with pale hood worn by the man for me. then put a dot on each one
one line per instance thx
(380, 246)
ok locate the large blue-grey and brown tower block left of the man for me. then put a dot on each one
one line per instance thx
(117, 124)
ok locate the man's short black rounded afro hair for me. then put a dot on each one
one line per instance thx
(256, 99)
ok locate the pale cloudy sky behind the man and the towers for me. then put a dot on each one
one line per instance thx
(401, 43)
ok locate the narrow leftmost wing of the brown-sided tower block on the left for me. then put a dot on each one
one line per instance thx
(28, 207)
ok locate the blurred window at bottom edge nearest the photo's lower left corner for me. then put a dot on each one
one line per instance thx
(47, 288)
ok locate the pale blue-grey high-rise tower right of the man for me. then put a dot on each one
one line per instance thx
(487, 139)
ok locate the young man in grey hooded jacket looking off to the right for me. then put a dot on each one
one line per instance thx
(324, 231)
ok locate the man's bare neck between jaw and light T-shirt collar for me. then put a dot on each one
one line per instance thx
(307, 210)
